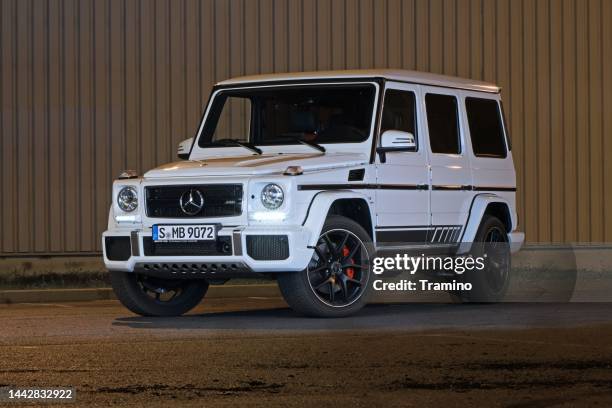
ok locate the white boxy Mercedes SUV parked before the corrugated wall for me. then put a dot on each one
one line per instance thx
(302, 177)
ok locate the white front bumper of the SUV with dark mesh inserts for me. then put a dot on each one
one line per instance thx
(241, 259)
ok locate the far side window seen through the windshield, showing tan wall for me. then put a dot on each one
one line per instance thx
(234, 120)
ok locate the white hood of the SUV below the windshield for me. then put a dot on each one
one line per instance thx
(256, 165)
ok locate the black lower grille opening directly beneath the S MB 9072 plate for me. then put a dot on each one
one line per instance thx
(222, 246)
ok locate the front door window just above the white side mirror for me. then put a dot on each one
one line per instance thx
(399, 112)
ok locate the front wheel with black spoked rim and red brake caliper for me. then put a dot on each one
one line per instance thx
(336, 282)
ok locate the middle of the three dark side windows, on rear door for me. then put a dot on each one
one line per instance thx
(443, 123)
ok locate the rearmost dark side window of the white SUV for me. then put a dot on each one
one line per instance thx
(486, 127)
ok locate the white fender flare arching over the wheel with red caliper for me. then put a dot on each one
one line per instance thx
(319, 208)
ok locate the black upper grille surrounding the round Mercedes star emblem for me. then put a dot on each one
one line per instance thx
(220, 200)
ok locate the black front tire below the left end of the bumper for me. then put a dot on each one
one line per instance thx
(152, 296)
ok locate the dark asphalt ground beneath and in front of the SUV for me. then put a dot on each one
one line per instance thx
(256, 352)
